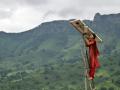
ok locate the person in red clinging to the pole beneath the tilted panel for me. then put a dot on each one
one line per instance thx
(93, 54)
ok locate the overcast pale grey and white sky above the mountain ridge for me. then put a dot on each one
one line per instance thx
(22, 15)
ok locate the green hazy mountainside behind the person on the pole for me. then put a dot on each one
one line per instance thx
(51, 52)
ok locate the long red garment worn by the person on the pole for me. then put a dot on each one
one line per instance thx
(93, 57)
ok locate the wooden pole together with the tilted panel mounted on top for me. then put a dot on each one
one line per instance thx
(82, 28)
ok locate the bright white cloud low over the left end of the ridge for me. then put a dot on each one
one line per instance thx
(21, 20)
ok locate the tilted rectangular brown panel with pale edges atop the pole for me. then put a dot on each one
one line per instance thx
(82, 28)
